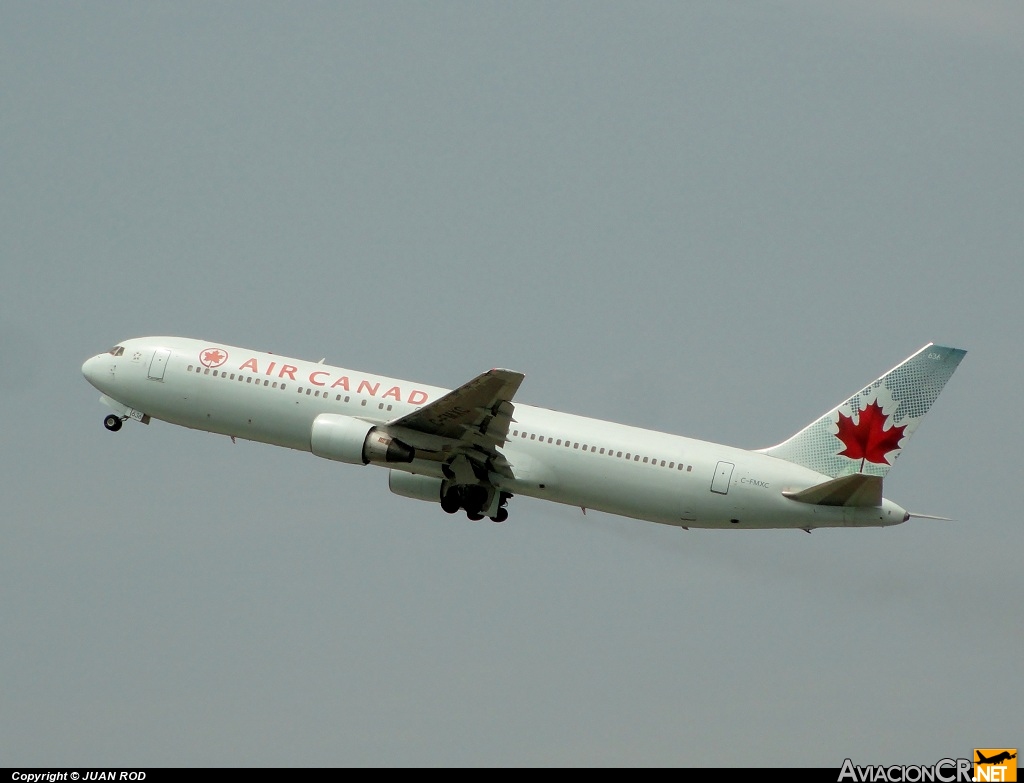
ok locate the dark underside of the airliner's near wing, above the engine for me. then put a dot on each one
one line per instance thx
(477, 415)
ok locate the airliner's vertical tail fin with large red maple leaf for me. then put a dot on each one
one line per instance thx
(869, 432)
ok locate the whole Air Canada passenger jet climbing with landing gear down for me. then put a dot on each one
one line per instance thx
(474, 449)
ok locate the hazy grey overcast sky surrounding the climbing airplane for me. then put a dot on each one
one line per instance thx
(714, 220)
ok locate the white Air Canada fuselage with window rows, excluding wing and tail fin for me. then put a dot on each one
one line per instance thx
(558, 457)
